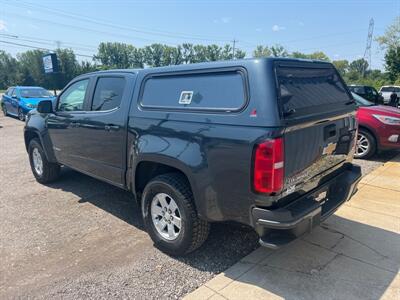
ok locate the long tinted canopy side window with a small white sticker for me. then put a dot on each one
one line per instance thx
(223, 91)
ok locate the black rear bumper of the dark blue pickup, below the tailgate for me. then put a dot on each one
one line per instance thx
(280, 226)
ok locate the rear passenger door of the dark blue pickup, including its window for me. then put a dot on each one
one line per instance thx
(101, 130)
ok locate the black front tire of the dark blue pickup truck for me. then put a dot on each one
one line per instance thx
(49, 171)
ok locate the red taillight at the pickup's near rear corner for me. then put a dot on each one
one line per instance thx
(268, 166)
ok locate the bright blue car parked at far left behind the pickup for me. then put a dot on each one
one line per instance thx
(19, 100)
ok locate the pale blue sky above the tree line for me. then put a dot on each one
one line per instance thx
(339, 28)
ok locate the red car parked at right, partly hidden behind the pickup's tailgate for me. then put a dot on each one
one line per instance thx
(378, 128)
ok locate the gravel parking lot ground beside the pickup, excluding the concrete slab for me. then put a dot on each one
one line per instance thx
(80, 238)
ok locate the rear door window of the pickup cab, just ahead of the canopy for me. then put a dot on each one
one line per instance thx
(108, 93)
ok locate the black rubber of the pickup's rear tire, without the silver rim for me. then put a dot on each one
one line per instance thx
(194, 231)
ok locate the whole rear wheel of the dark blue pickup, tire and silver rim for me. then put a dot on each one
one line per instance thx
(170, 215)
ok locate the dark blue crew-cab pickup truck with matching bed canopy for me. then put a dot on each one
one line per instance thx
(263, 142)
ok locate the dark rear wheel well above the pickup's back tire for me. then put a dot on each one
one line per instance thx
(147, 170)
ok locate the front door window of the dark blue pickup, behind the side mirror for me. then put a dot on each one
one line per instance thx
(74, 97)
